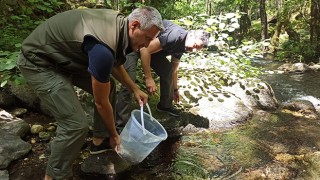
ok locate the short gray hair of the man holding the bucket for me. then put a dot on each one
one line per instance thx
(148, 17)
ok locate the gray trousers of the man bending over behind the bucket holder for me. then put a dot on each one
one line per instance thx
(162, 67)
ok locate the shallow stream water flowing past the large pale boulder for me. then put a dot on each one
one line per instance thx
(274, 145)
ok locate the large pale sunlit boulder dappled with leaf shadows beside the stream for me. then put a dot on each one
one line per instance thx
(223, 101)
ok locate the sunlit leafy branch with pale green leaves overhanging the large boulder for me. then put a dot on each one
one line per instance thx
(229, 62)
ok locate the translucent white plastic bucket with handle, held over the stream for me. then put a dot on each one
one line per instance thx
(140, 136)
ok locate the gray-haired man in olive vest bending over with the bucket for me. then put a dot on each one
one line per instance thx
(83, 48)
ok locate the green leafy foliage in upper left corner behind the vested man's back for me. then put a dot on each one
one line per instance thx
(15, 28)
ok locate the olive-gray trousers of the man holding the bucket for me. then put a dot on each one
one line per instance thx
(55, 90)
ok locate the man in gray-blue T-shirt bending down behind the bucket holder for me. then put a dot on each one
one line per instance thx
(173, 41)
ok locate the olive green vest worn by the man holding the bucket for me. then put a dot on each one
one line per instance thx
(59, 41)
